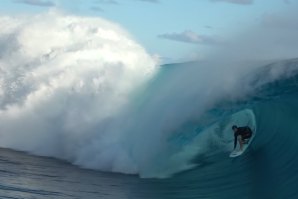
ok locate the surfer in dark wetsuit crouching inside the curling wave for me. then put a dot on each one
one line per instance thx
(241, 134)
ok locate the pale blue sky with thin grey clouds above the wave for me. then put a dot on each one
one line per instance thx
(174, 30)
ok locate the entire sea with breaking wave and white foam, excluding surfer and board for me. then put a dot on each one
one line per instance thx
(83, 91)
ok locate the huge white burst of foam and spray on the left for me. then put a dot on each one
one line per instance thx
(63, 82)
